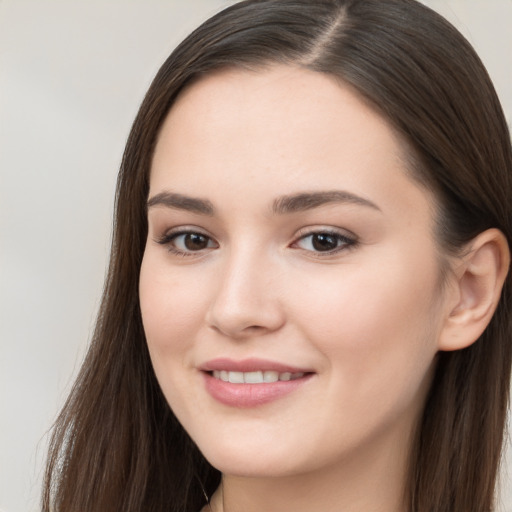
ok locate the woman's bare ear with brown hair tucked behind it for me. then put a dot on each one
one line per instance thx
(475, 291)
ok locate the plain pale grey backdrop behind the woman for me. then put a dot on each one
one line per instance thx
(72, 74)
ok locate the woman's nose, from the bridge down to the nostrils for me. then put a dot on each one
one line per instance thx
(247, 301)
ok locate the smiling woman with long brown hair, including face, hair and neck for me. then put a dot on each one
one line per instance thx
(307, 305)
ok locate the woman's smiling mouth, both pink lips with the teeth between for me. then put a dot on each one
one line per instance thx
(251, 382)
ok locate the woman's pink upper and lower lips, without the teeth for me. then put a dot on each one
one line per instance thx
(244, 395)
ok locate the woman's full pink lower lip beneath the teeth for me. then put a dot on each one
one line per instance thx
(250, 395)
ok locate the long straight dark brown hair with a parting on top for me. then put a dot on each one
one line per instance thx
(116, 444)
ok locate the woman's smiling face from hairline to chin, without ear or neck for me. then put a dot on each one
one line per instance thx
(290, 283)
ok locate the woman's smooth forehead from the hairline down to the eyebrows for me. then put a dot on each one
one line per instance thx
(276, 131)
